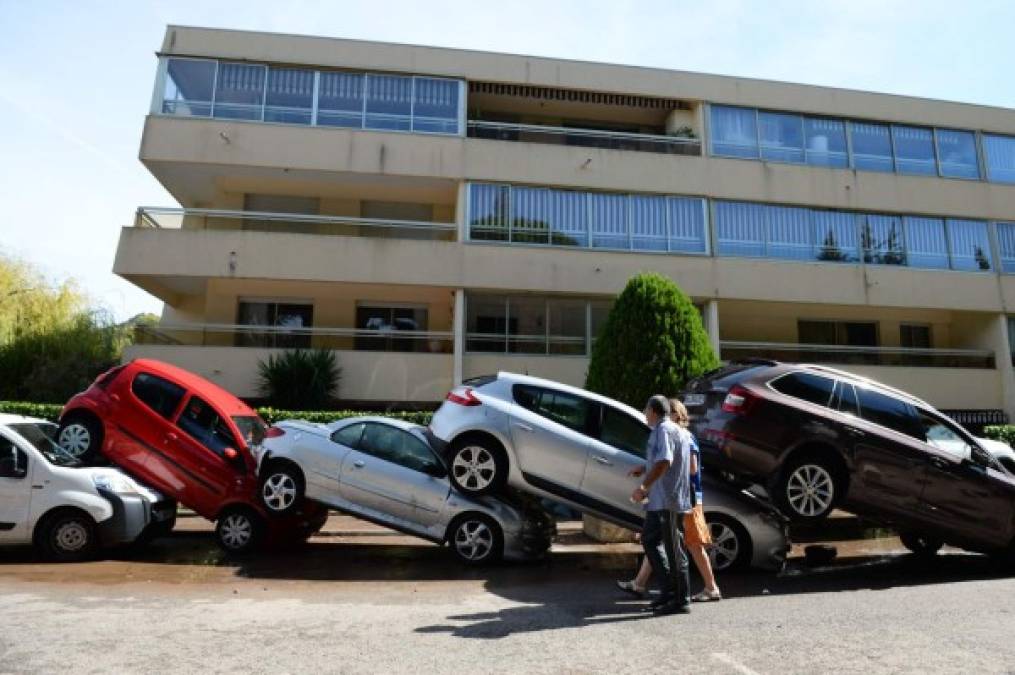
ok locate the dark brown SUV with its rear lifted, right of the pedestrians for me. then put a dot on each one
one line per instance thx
(820, 439)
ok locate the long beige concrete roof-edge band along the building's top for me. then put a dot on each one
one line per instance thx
(578, 76)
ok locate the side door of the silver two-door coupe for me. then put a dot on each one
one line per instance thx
(387, 476)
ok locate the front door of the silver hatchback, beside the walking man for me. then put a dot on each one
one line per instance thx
(618, 447)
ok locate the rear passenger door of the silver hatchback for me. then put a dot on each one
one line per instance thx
(550, 430)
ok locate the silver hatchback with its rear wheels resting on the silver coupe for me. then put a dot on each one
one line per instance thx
(572, 446)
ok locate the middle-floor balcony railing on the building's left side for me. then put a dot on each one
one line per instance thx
(190, 219)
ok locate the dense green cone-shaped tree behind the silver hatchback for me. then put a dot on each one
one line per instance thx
(653, 343)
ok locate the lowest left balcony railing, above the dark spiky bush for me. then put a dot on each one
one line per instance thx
(285, 337)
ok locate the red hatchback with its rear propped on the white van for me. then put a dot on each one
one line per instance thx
(187, 438)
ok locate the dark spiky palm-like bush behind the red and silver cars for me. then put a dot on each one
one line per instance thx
(300, 379)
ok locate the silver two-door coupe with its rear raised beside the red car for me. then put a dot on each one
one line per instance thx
(384, 470)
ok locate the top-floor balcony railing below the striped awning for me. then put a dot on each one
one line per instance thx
(614, 141)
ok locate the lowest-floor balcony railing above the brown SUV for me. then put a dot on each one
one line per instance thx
(821, 354)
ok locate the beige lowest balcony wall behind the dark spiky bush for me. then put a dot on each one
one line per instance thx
(381, 377)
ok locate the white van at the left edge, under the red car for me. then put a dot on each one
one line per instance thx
(66, 510)
